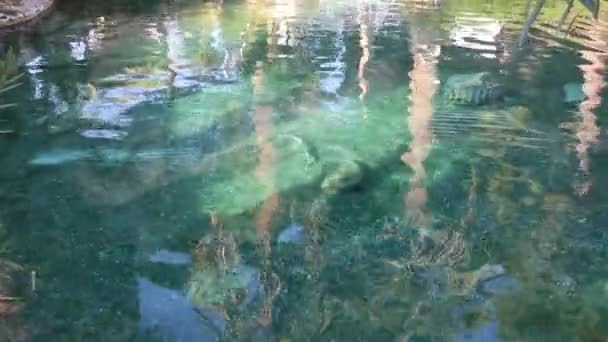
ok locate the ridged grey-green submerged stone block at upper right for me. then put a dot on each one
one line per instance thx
(473, 89)
